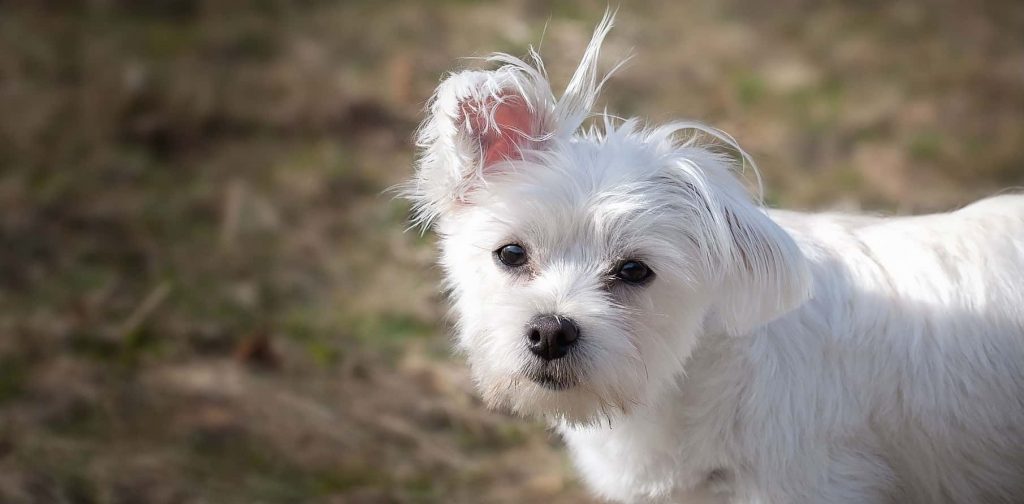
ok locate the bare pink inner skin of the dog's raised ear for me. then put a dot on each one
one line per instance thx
(516, 128)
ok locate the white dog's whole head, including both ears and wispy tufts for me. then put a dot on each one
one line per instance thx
(584, 266)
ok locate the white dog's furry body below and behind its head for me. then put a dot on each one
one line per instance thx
(902, 381)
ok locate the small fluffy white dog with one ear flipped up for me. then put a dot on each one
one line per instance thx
(690, 346)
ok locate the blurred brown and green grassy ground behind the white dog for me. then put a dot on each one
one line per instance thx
(207, 297)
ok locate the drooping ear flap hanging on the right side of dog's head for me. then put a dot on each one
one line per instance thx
(766, 275)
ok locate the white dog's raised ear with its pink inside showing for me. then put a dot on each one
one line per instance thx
(479, 124)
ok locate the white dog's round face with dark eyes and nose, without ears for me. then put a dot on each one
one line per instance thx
(576, 285)
